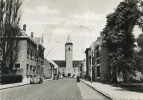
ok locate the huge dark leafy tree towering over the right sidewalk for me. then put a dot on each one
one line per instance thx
(119, 37)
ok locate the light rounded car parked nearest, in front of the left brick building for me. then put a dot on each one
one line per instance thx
(36, 79)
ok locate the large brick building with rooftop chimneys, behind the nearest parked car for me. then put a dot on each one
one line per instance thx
(30, 55)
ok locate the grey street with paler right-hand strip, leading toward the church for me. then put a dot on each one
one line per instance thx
(66, 88)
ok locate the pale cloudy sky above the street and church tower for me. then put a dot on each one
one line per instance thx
(82, 20)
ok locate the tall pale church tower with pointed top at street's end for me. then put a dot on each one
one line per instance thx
(69, 57)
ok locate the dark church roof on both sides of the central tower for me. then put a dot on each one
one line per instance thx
(62, 63)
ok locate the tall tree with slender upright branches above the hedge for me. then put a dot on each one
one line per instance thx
(9, 25)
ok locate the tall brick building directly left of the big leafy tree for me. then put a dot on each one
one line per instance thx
(101, 68)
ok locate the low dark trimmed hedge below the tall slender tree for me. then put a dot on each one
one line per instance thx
(7, 79)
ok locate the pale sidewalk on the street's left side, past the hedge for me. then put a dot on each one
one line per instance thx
(5, 86)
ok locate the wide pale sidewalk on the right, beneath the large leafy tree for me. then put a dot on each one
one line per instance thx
(115, 93)
